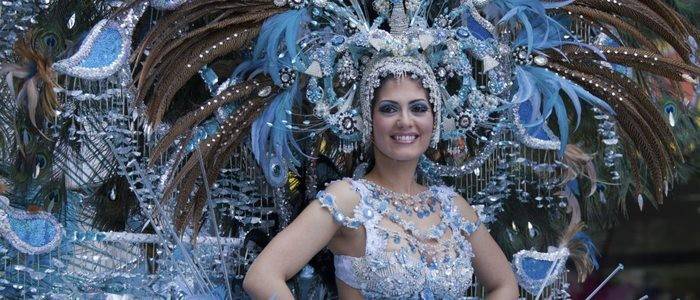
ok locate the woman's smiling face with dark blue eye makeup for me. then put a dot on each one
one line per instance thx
(402, 119)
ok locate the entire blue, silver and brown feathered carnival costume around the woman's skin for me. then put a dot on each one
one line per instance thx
(216, 121)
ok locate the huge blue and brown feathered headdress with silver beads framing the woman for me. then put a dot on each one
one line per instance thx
(517, 82)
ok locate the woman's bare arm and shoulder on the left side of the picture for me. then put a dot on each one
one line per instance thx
(293, 247)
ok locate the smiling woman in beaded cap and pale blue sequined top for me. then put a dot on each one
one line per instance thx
(391, 236)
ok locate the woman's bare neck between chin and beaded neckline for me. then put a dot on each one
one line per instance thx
(398, 176)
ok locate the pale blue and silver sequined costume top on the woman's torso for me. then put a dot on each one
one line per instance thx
(402, 261)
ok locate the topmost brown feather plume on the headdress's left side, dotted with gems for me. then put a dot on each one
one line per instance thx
(164, 73)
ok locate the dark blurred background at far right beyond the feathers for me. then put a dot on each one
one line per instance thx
(659, 247)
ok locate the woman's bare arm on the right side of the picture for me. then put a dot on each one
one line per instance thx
(490, 264)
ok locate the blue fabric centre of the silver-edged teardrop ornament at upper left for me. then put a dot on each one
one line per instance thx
(105, 49)
